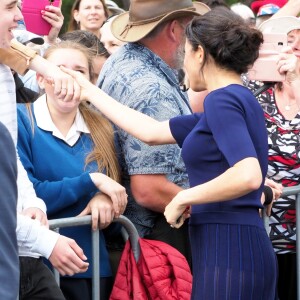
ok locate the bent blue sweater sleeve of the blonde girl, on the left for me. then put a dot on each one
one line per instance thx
(57, 194)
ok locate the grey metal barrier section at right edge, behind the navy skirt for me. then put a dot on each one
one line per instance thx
(287, 191)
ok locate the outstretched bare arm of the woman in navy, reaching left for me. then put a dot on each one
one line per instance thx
(137, 124)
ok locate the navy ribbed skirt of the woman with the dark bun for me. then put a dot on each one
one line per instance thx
(232, 262)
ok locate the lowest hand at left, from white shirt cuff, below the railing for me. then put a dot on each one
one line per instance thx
(67, 257)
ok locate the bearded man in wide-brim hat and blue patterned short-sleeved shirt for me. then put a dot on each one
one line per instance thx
(142, 75)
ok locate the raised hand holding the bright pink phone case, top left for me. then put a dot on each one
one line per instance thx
(55, 18)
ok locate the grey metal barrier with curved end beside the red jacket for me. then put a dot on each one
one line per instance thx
(131, 231)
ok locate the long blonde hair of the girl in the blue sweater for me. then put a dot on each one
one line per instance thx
(101, 130)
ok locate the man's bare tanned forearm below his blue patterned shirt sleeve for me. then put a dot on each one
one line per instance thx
(153, 191)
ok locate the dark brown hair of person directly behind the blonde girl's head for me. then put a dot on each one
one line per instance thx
(87, 39)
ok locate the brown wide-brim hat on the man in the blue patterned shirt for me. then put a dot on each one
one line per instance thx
(145, 15)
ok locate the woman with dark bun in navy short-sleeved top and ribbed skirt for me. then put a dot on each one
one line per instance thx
(226, 154)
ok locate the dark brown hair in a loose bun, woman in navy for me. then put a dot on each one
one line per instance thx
(226, 38)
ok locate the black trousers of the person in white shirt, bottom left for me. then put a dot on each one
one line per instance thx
(37, 281)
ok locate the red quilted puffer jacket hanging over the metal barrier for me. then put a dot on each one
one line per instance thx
(161, 273)
